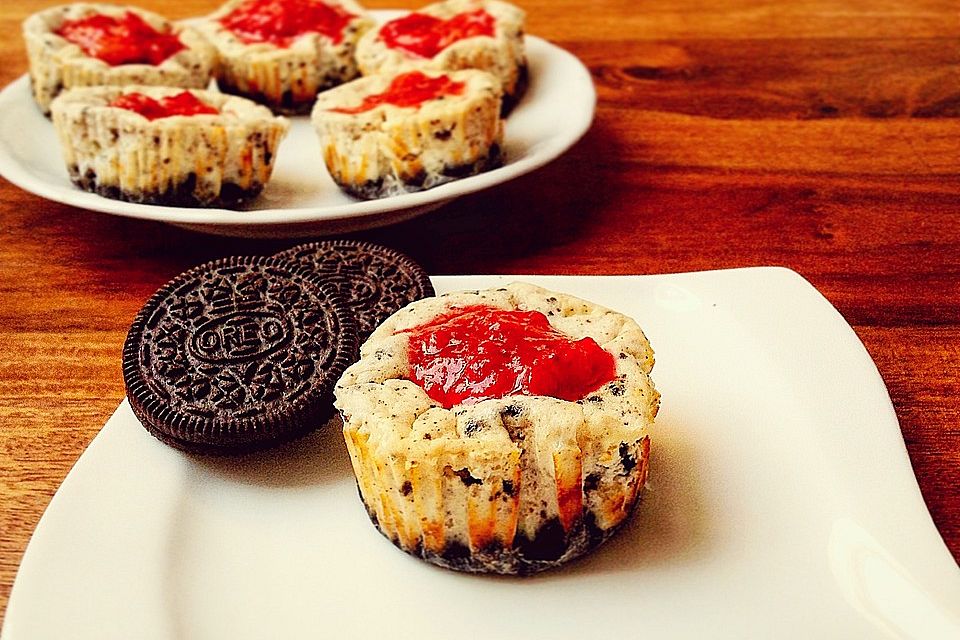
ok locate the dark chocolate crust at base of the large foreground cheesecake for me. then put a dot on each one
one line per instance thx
(550, 548)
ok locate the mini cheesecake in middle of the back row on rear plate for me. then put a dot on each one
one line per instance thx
(283, 52)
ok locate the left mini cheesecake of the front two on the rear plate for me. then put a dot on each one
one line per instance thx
(159, 145)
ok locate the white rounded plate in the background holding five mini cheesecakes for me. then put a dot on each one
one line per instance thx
(301, 199)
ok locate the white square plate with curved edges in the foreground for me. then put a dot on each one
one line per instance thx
(781, 504)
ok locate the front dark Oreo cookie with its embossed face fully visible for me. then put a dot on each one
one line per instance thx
(238, 355)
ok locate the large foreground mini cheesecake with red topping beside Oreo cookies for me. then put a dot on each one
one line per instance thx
(501, 431)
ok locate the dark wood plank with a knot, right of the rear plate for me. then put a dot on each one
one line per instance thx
(789, 78)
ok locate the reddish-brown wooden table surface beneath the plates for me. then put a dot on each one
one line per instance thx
(823, 136)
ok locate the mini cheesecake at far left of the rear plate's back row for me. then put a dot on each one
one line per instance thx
(78, 45)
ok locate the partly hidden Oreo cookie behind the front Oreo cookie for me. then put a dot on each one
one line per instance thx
(375, 281)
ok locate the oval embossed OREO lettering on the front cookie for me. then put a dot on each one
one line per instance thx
(240, 336)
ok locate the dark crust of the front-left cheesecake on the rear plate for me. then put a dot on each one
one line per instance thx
(180, 195)
